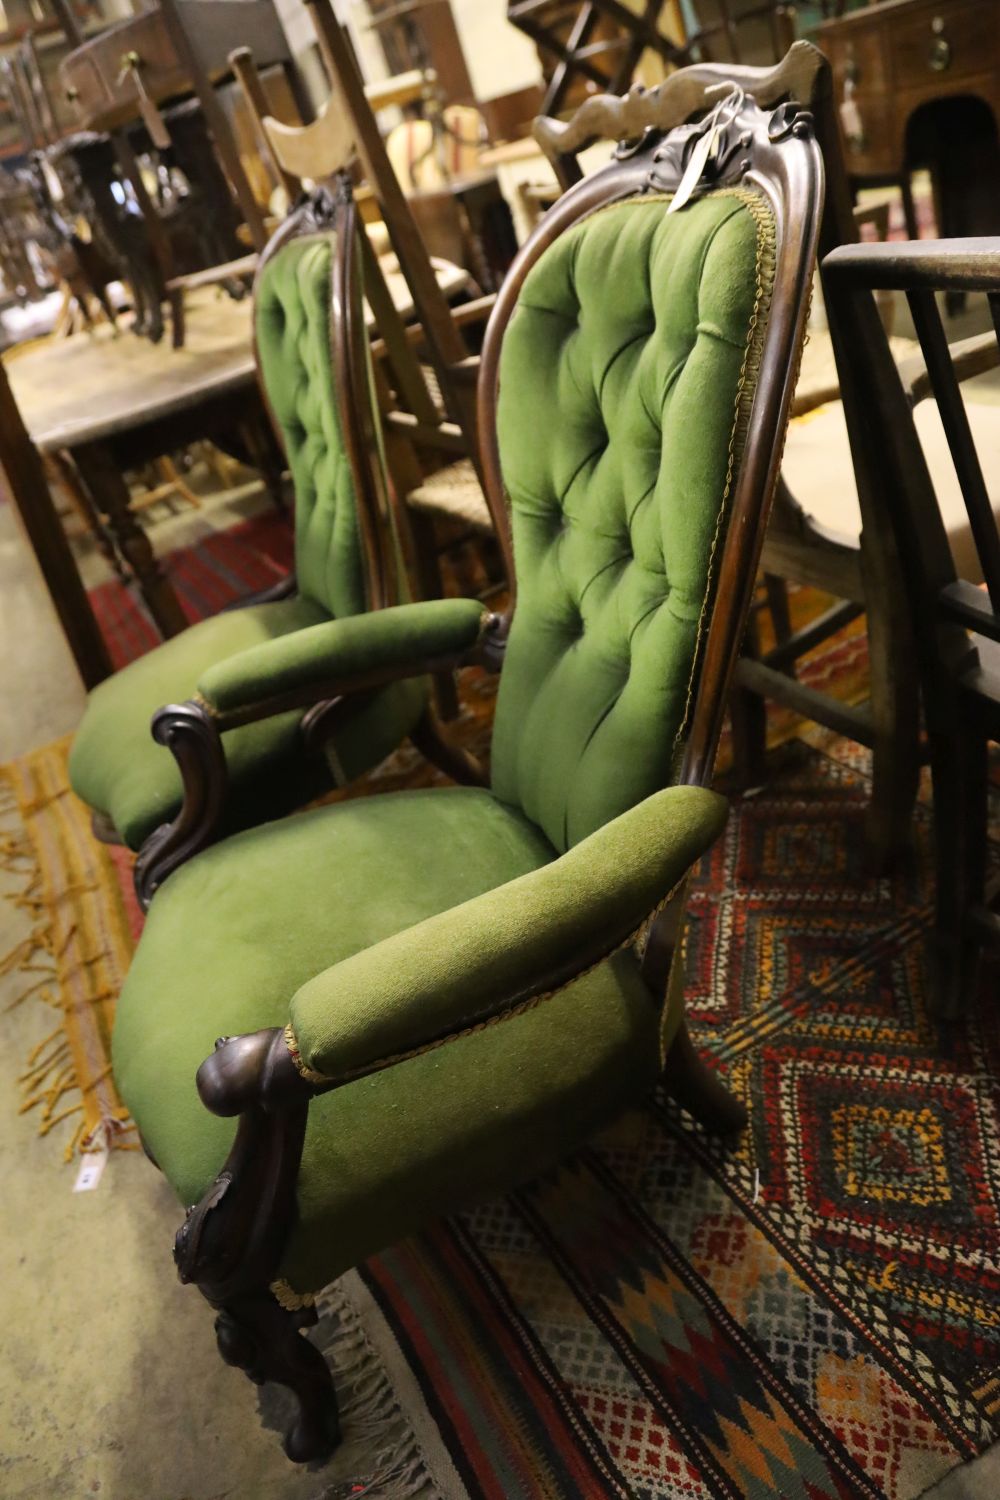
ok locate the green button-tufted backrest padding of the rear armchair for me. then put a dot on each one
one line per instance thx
(292, 310)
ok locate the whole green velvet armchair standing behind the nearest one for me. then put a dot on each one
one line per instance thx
(313, 359)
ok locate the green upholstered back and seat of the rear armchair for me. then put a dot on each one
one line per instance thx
(344, 566)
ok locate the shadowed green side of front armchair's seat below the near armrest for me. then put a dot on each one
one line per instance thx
(454, 1127)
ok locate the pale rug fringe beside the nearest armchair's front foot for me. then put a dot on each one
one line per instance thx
(394, 1465)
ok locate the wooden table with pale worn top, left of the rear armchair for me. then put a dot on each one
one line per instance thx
(115, 404)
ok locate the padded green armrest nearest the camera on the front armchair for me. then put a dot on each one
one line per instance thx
(506, 949)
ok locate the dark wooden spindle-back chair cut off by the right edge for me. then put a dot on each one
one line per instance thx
(956, 623)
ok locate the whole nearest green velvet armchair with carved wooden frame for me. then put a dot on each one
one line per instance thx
(425, 995)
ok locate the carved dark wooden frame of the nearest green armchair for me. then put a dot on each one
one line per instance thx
(233, 1240)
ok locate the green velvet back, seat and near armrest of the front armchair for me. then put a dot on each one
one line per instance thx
(621, 383)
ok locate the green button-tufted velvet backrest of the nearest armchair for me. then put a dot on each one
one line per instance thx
(618, 391)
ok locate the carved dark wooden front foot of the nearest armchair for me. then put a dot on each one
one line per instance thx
(266, 1342)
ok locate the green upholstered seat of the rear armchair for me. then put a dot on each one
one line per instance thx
(118, 767)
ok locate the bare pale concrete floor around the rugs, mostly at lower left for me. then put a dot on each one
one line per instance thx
(110, 1381)
